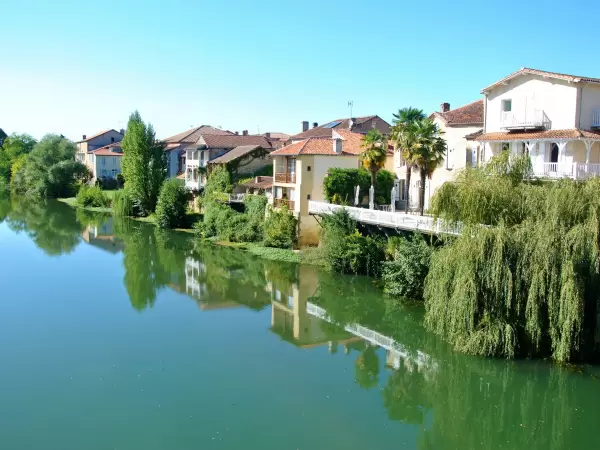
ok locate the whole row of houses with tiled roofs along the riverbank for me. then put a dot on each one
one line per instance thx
(553, 118)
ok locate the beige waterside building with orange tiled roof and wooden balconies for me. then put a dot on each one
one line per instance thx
(299, 170)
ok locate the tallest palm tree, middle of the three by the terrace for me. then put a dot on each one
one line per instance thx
(405, 142)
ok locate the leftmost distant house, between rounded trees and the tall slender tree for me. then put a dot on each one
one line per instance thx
(106, 163)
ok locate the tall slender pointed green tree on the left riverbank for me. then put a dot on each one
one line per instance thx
(144, 164)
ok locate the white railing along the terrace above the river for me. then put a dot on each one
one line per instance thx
(396, 220)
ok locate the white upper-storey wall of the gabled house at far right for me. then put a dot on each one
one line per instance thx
(557, 98)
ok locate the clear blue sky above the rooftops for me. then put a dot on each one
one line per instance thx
(78, 67)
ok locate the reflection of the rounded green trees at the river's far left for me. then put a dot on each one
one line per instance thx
(52, 226)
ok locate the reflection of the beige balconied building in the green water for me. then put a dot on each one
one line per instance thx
(290, 320)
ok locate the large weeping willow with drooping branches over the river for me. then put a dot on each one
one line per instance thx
(528, 283)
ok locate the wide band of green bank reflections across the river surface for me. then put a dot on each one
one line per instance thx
(452, 400)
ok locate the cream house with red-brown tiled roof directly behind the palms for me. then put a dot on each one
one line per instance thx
(457, 125)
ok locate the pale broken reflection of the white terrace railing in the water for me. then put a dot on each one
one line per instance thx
(400, 352)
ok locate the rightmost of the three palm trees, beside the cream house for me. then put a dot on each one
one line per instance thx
(429, 149)
